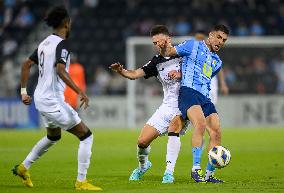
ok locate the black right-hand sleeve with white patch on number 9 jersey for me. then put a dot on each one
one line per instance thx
(62, 52)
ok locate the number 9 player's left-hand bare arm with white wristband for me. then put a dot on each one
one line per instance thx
(25, 72)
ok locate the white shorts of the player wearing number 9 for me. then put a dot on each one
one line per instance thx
(64, 116)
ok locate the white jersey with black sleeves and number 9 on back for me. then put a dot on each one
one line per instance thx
(51, 51)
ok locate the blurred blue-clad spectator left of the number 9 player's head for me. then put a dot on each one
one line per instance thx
(25, 18)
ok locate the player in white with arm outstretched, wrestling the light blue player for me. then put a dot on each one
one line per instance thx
(160, 67)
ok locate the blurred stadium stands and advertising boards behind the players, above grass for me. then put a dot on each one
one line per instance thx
(254, 74)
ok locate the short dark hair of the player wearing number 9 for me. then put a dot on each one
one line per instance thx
(56, 17)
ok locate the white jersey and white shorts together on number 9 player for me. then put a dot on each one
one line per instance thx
(49, 93)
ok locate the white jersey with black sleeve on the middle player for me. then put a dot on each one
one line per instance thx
(160, 67)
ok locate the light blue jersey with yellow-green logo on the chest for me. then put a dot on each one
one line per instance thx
(199, 65)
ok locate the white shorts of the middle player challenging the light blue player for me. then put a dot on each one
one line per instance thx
(161, 119)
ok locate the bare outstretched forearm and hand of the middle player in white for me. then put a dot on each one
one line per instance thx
(130, 74)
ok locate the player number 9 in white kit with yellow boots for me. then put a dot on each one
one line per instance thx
(53, 59)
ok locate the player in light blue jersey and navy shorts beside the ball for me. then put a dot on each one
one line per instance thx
(200, 64)
